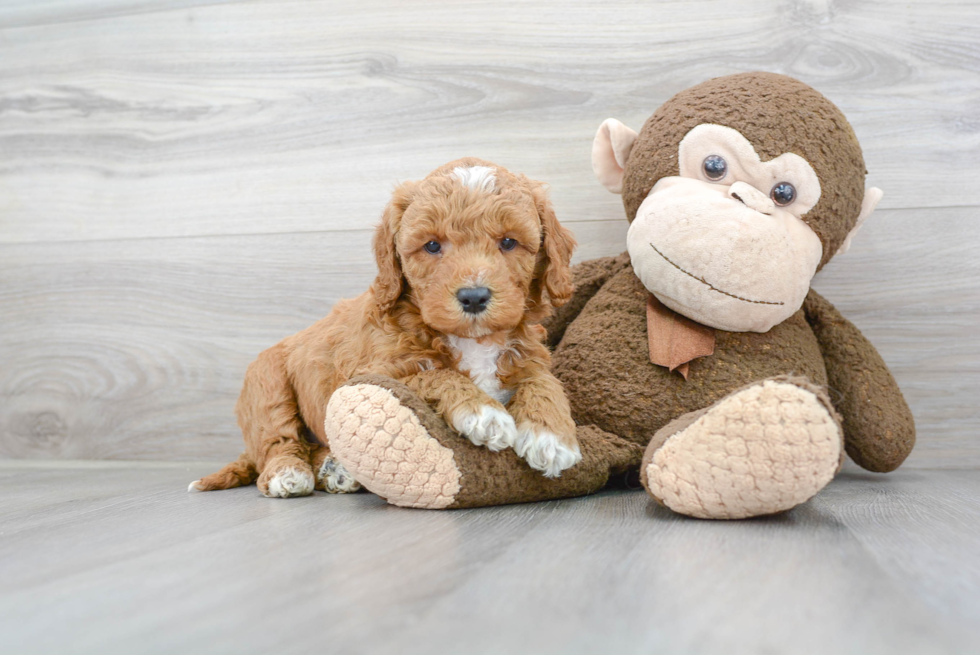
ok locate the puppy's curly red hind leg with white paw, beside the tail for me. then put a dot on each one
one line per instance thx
(270, 420)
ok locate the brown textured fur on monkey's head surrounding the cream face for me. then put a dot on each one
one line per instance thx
(776, 114)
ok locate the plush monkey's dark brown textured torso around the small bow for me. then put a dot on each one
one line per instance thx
(604, 363)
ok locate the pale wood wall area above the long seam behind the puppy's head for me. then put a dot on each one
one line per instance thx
(294, 116)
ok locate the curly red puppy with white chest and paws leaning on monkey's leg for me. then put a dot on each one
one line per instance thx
(469, 260)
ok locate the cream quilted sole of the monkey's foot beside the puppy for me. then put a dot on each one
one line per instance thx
(385, 447)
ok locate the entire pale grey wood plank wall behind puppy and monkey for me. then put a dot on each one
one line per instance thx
(184, 182)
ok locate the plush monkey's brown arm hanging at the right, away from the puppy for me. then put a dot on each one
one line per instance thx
(879, 431)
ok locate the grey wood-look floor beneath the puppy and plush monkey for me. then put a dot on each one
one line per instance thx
(98, 558)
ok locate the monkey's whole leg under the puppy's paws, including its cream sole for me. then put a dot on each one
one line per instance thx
(397, 447)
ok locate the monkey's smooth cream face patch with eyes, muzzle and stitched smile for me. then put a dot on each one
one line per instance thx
(723, 242)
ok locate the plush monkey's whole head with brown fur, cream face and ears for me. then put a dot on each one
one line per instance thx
(729, 227)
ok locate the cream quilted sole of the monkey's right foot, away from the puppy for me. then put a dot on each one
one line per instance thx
(761, 450)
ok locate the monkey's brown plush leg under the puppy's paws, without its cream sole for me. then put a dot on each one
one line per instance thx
(502, 478)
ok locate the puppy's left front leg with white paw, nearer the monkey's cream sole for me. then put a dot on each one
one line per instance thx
(466, 407)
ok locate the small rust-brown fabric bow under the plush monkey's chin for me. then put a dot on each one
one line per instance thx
(675, 340)
